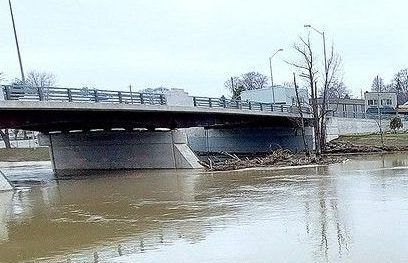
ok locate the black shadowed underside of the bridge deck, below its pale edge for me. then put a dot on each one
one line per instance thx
(46, 121)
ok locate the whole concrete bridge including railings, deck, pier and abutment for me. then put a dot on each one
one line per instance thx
(100, 129)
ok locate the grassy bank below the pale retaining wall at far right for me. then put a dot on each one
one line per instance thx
(390, 139)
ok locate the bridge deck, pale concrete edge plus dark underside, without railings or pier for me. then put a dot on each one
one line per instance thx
(63, 116)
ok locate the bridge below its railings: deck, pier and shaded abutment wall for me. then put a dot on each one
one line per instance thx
(78, 146)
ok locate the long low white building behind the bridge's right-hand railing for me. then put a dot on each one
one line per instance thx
(275, 94)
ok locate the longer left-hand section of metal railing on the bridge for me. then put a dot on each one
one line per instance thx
(28, 93)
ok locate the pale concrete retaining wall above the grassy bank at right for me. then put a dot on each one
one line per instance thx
(337, 126)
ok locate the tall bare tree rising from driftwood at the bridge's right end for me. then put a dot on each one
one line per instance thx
(308, 70)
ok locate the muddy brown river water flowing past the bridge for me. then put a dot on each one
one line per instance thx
(351, 212)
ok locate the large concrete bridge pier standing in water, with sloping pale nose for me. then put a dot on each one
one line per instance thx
(109, 150)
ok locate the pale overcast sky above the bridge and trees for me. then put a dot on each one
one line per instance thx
(196, 45)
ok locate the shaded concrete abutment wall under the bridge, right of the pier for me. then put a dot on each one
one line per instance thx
(246, 140)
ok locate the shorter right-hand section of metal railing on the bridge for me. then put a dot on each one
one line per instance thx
(206, 102)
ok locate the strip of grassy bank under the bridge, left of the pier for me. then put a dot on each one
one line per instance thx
(24, 154)
